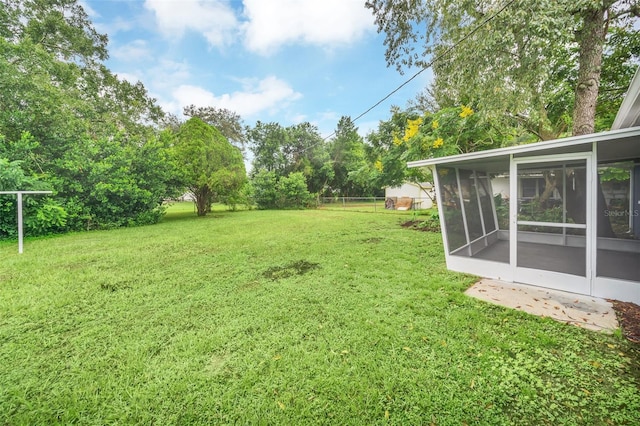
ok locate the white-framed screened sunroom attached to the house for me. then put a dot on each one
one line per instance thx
(561, 214)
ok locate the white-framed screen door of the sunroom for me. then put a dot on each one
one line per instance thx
(551, 221)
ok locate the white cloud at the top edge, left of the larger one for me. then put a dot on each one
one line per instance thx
(214, 19)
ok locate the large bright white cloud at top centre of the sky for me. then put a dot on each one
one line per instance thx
(272, 23)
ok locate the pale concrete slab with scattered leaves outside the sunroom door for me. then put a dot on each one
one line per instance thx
(583, 311)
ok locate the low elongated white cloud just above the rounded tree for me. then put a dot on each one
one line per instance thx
(268, 95)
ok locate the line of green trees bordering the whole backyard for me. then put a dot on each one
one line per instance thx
(111, 155)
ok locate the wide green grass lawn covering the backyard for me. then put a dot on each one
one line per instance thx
(284, 317)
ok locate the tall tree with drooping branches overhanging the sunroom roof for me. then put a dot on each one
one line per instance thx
(517, 61)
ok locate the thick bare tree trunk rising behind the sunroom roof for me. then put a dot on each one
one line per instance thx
(591, 40)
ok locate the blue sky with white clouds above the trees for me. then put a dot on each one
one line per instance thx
(284, 61)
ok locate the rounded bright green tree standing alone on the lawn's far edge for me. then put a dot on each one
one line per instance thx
(211, 167)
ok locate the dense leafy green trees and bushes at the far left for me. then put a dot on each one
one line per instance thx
(73, 126)
